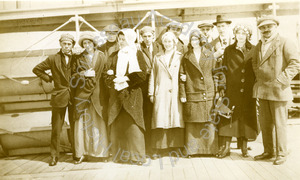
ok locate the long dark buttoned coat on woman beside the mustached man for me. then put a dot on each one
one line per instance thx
(239, 84)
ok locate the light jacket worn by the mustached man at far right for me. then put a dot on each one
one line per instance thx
(275, 70)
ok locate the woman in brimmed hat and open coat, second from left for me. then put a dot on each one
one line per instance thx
(90, 101)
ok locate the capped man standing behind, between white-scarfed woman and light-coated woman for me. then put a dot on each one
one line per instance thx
(146, 53)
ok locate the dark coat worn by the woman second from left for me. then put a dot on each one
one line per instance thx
(90, 89)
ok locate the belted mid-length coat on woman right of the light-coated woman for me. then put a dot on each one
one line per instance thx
(199, 87)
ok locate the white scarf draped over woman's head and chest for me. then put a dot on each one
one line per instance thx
(127, 58)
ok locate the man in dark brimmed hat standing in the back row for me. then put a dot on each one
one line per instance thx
(225, 37)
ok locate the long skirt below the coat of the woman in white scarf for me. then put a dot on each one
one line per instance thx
(127, 140)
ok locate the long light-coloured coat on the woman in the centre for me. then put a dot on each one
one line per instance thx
(163, 86)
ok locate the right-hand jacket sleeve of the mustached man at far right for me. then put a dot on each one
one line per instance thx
(293, 68)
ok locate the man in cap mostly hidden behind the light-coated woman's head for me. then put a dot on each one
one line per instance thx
(176, 28)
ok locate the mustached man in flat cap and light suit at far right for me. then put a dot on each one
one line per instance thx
(275, 64)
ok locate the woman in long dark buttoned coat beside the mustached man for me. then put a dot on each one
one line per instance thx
(239, 78)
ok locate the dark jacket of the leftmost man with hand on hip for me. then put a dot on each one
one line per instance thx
(61, 74)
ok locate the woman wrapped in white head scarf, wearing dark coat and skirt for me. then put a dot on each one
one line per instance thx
(123, 77)
